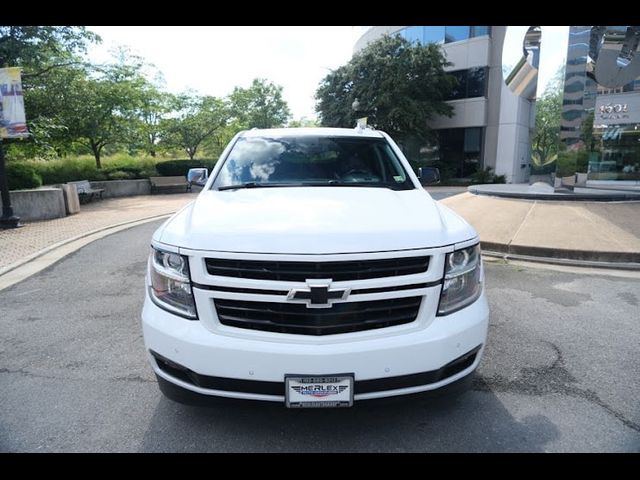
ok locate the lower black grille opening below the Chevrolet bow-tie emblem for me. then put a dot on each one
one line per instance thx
(297, 318)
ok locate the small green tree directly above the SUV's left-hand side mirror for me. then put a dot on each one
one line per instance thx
(198, 119)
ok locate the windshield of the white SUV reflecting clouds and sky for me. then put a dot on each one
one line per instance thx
(312, 161)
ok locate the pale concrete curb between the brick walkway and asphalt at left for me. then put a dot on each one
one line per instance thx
(14, 269)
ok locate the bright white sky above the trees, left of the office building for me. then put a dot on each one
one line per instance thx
(213, 60)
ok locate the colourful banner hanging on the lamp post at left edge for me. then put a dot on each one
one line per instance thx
(13, 123)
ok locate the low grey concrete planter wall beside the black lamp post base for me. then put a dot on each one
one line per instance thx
(38, 204)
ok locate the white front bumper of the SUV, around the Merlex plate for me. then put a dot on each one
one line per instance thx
(388, 364)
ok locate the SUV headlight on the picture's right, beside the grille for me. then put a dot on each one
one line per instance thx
(462, 279)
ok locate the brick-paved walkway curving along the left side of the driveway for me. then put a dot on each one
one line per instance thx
(18, 243)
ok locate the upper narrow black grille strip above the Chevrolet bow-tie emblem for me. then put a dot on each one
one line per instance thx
(302, 271)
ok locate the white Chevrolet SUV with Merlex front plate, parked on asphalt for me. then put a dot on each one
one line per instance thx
(313, 269)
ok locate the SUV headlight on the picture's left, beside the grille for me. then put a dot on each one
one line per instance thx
(170, 283)
